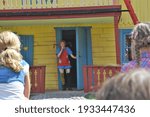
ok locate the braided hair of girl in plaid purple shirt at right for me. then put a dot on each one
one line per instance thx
(141, 36)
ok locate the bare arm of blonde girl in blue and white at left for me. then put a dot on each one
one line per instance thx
(27, 86)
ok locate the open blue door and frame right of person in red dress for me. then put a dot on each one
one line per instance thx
(82, 49)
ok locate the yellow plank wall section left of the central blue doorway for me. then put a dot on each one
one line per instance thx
(44, 52)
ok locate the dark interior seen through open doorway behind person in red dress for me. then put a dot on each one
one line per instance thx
(70, 37)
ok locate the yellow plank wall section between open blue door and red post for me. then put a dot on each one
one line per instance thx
(103, 42)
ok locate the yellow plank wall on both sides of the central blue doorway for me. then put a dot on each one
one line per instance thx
(103, 46)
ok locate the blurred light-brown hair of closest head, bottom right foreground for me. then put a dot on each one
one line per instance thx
(132, 85)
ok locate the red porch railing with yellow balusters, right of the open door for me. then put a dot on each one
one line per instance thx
(94, 76)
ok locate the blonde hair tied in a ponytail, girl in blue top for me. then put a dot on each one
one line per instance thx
(10, 51)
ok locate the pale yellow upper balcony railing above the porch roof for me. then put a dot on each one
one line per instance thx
(32, 4)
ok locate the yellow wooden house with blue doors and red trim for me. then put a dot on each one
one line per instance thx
(90, 27)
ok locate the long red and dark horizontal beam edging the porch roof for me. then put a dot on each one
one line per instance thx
(60, 13)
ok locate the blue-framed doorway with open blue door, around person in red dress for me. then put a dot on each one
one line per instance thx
(79, 41)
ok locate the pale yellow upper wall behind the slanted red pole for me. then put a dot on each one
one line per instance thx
(141, 8)
